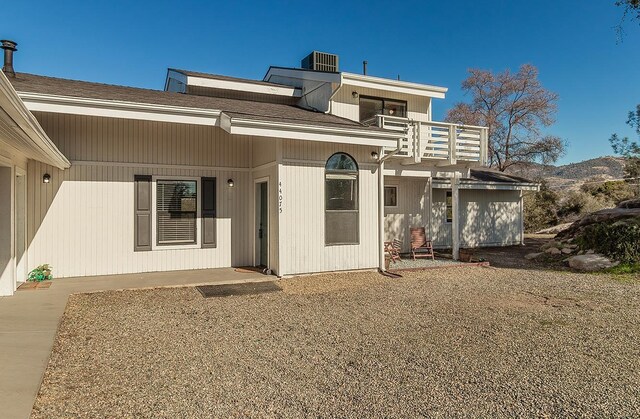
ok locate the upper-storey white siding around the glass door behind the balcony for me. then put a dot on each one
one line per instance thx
(346, 106)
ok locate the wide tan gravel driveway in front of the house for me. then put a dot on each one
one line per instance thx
(447, 342)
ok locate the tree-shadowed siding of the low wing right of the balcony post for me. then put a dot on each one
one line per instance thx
(487, 218)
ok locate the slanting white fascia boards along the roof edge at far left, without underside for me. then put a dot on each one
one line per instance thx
(36, 139)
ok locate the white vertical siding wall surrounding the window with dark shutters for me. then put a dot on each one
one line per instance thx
(82, 222)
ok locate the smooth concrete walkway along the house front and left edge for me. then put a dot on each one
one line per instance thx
(29, 322)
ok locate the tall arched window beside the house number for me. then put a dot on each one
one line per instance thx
(341, 200)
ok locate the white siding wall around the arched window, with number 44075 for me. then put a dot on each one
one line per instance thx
(301, 227)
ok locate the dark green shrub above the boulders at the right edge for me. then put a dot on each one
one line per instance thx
(619, 240)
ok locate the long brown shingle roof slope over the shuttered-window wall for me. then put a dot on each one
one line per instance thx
(264, 111)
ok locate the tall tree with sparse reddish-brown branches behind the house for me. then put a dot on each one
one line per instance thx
(515, 107)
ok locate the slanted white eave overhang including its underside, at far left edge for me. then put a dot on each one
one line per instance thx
(21, 132)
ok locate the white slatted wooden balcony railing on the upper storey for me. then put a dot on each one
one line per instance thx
(438, 142)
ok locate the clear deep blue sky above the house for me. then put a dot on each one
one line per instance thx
(573, 43)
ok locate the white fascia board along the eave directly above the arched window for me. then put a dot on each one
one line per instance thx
(258, 128)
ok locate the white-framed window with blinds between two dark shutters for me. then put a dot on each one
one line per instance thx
(176, 211)
